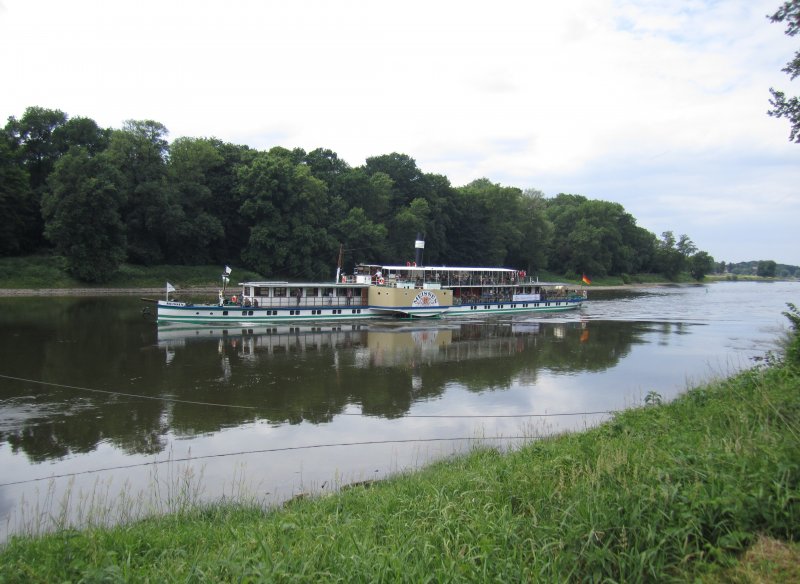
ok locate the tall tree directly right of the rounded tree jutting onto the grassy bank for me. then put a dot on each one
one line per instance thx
(139, 150)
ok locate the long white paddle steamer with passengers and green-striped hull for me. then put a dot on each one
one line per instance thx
(376, 291)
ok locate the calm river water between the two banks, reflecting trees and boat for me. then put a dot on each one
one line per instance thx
(93, 393)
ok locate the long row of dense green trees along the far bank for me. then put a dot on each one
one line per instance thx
(102, 196)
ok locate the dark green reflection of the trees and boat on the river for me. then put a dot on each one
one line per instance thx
(132, 387)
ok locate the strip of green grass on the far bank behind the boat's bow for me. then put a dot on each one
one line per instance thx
(45, 271)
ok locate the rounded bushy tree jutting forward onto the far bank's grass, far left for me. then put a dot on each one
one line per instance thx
(82, 215)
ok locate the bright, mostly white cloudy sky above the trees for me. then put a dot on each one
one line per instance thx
(659, 105)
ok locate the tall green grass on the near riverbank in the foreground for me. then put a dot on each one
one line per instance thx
(706, 487)
